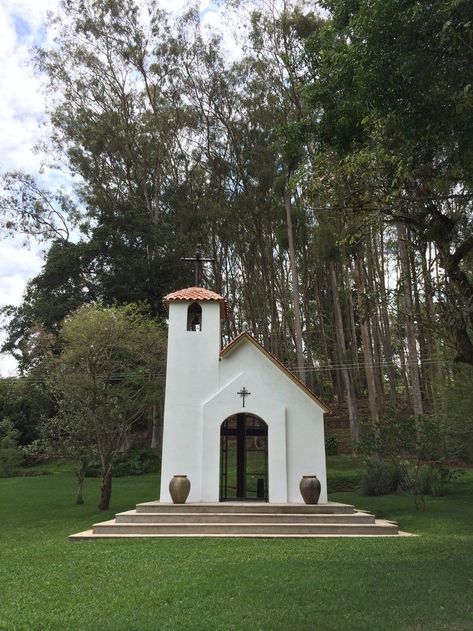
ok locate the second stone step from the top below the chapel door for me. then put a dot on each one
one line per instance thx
(133, 517)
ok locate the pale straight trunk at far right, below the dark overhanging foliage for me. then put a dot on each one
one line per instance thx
(413, 365)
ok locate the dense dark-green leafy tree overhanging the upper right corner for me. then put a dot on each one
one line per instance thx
(390, 92)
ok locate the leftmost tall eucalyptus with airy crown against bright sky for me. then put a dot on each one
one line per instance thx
(120, 121)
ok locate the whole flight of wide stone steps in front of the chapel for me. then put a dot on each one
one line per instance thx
(241, 519)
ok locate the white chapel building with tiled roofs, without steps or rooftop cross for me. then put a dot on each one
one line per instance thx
(236, 421)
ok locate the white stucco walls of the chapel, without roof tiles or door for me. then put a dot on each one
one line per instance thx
(201, 393)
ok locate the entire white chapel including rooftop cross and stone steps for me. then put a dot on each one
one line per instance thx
(240, 427)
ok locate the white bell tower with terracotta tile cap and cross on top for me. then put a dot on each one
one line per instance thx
(192, 377)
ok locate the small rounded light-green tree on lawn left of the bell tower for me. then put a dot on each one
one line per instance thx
(105, 378)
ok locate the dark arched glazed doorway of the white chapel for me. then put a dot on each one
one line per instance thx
(244, 458)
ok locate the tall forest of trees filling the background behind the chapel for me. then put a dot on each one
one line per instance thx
(327, 170)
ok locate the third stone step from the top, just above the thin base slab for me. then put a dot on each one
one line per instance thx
(380, 527)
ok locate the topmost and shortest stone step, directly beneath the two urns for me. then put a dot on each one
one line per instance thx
(244, 507)
